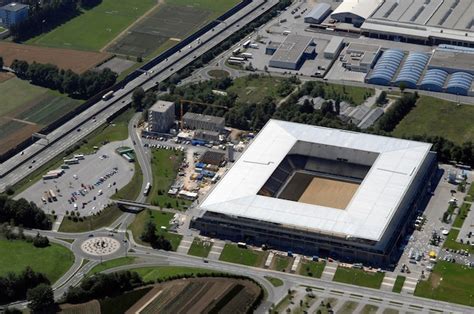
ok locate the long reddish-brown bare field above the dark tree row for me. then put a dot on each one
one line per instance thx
(77, 61)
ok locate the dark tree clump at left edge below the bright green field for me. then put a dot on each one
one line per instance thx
(14, 287)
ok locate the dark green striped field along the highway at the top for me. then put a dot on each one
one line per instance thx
(166, 25)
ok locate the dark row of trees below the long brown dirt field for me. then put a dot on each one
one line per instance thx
(82, 86)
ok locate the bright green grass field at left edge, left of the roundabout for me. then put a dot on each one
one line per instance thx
(53, 260)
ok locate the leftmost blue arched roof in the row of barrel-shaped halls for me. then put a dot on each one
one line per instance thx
(386, 67)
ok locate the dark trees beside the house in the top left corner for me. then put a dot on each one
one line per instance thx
(46, 15)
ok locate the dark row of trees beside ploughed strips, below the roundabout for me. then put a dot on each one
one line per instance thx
(103, 285)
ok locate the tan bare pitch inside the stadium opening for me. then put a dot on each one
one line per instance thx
(329, 193)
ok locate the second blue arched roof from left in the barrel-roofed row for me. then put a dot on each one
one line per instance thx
(412, 69)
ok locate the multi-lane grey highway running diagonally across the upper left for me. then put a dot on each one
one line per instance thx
(22, 164)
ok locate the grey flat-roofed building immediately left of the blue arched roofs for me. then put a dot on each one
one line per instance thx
(360, 57)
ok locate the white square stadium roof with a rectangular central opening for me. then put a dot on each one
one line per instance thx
(368, 213)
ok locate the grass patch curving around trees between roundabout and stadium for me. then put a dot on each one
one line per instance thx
(160, 219)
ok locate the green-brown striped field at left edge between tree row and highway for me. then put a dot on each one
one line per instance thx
(26, 109)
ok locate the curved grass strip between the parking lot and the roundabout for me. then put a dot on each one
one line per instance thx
(106, 217)
